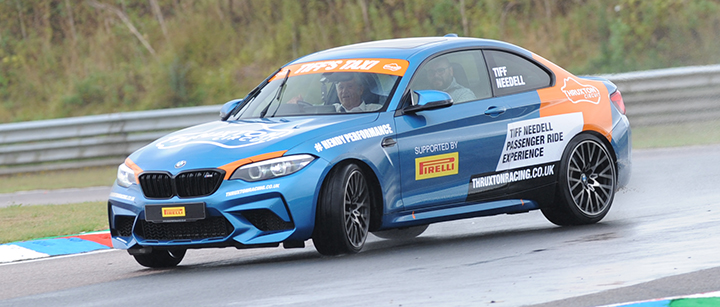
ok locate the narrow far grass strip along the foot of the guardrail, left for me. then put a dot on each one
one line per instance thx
(50, 180)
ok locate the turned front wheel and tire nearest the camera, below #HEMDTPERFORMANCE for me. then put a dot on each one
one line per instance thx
(343, 213)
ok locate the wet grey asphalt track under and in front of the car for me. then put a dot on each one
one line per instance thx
(661, 238)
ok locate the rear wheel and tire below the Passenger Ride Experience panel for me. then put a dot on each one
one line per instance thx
(586, 183)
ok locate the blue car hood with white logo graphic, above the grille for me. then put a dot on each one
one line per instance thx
(218, 143)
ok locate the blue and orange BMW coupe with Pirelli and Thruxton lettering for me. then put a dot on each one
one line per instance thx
(384, 137)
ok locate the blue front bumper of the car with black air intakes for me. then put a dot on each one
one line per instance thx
(239, 213)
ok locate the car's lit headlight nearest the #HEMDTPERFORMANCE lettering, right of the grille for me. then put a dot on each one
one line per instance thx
(272, 168)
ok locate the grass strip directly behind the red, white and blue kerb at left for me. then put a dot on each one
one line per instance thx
(21, 223)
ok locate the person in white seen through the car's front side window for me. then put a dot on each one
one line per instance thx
(442, 78)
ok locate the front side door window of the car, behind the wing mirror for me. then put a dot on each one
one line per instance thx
(461, 74)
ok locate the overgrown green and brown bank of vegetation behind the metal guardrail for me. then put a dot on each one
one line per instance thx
(61, 58)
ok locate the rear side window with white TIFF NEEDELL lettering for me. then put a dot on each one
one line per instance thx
(514, 74)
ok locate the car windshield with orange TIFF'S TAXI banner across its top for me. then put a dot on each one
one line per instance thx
(327, 87)
